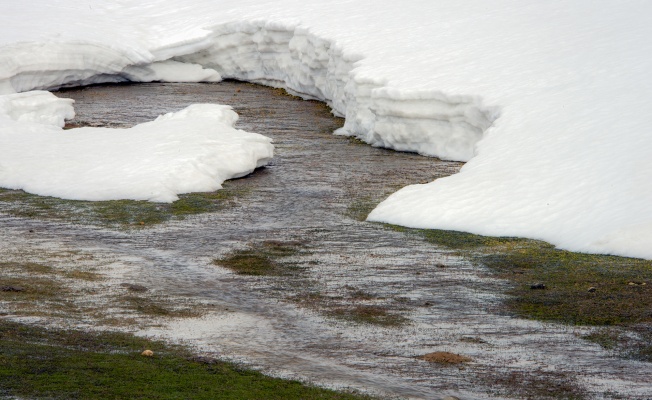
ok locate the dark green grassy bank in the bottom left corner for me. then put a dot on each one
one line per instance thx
(71, 364)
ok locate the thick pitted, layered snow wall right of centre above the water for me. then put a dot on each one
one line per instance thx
(281, 55)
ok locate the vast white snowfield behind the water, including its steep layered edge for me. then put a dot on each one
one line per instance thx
(549, 100)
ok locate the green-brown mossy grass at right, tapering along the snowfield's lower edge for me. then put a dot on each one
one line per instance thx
(580, 289)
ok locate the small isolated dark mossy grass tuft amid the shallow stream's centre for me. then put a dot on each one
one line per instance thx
(262, 259)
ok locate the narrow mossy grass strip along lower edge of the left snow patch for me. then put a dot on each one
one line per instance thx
(117, 212)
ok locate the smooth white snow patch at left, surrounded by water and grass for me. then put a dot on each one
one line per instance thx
(192, 150)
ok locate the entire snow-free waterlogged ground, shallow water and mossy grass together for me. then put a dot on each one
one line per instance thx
(279, 272)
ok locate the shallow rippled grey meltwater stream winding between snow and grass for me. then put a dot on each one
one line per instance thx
(310, 322)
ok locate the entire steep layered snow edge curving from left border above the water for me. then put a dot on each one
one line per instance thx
(428, 122)
